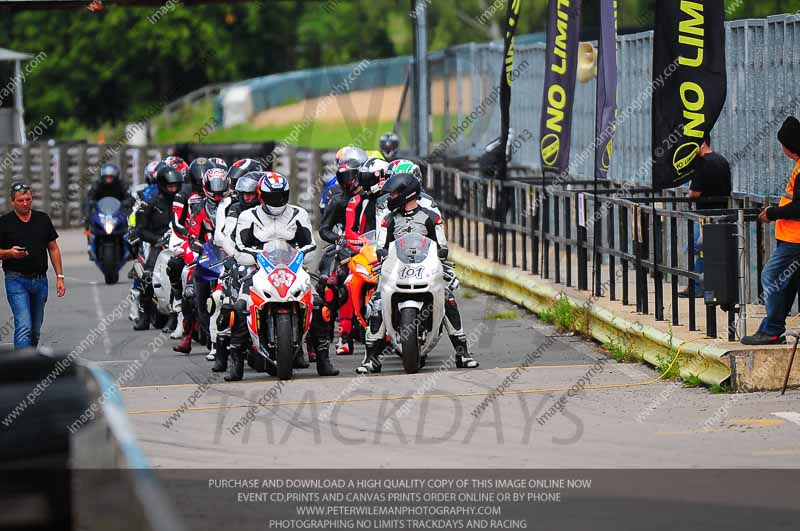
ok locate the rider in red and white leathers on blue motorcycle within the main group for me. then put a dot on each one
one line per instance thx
(216, 187)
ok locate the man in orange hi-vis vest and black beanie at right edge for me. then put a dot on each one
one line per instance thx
(779, 278)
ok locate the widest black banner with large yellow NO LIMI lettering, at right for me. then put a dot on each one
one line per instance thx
(689, 84)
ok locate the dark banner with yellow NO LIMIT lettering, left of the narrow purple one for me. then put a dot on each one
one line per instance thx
(563, 31)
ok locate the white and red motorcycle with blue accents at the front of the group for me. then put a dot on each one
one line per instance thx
(279, 309)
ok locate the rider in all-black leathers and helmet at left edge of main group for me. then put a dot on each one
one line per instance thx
(151, 224)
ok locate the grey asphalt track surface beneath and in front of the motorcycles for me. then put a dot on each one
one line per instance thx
(186, 417)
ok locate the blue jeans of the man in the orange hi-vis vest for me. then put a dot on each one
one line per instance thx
(780, 282)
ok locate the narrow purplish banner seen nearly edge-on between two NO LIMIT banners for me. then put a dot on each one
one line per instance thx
(606, 88)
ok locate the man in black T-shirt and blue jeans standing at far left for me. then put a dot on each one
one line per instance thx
(26, 237)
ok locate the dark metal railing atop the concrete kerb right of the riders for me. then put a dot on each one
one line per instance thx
(628, 245)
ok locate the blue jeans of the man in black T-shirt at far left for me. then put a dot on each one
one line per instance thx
(27, 298)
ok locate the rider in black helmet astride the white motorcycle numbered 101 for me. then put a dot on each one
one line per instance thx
(406, 217)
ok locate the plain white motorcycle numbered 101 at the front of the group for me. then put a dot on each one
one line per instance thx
(412, 298)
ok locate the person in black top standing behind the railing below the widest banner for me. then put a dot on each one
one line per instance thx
(713, 180)
